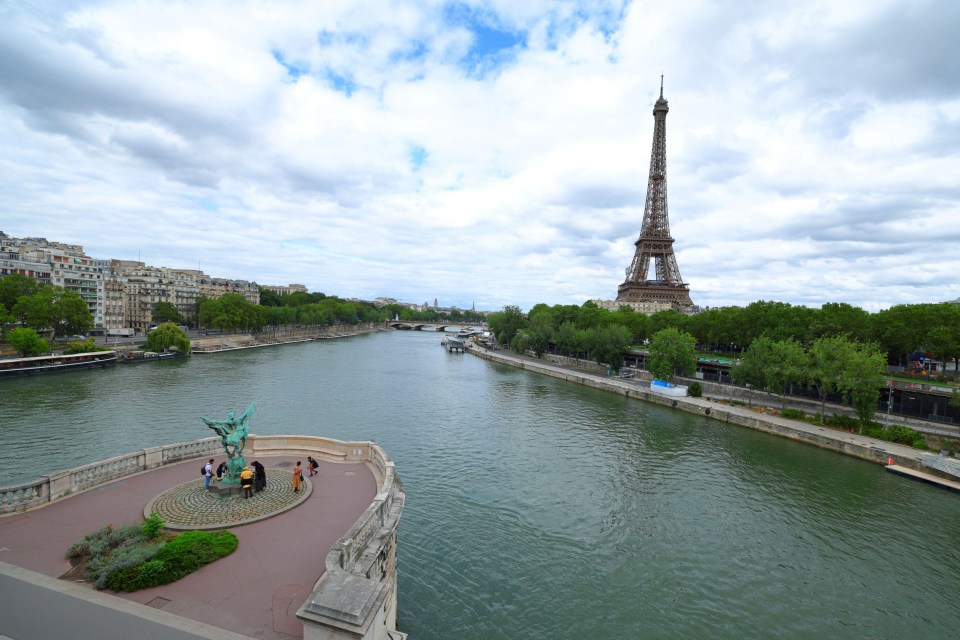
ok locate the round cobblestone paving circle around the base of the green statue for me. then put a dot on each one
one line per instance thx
(190, 506)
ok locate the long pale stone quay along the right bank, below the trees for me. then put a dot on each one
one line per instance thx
(851, 444)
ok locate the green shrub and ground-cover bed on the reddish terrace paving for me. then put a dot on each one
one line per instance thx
(139, 556)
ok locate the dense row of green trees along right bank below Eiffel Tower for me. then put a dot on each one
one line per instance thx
(837, 349)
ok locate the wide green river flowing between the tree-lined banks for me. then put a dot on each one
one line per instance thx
(537, 508)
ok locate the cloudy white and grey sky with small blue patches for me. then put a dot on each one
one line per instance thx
(493, 153)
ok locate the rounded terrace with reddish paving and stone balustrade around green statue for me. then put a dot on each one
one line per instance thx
(316, 563)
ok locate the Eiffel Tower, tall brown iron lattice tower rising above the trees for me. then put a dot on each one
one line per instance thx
(655, 242)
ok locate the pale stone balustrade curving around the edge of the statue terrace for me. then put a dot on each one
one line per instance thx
(356, 597)
